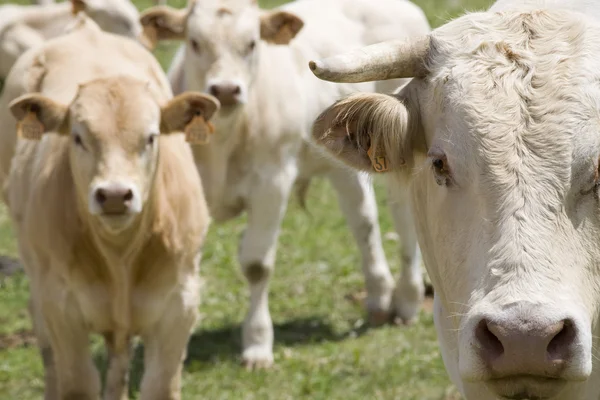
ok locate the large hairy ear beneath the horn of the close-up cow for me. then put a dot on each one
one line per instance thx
(369, 132)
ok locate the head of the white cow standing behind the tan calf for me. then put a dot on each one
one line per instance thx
(223, 40)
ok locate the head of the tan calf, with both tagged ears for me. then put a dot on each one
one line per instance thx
(114, 128)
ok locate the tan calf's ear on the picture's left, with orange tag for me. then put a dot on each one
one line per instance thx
(37, 115)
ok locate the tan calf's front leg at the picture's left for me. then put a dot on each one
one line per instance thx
(76, 374)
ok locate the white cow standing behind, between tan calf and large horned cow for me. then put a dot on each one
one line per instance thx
(254, 61)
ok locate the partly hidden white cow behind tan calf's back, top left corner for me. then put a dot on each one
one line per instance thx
(23, 27)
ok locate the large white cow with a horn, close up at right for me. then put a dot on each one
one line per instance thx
(499, 133)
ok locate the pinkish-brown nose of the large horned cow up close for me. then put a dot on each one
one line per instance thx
(523, 347)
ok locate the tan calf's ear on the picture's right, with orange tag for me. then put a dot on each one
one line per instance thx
(190, 113)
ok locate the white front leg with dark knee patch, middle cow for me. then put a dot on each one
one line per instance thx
(266, 206)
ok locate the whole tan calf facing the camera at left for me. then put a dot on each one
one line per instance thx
(107, 206)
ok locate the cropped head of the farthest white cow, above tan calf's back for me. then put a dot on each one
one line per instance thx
(115, 16)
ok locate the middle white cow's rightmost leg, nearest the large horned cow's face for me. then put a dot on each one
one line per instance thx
(410, 289)
